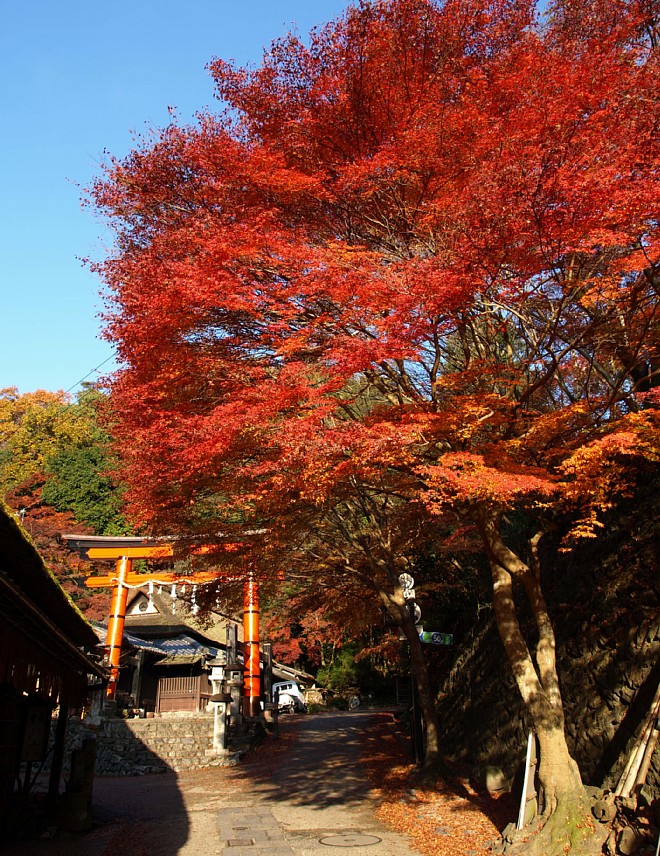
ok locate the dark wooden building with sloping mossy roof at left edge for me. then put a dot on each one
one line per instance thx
(48, 655)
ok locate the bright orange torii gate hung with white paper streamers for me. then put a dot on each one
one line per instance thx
(124, 550)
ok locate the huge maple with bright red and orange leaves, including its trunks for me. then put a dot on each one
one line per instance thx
(411, 275)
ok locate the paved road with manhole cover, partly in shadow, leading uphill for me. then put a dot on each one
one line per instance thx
(312, 799)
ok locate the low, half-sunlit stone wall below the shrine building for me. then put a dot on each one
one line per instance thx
(129, 747)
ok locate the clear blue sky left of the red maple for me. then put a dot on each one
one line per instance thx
(79, 78)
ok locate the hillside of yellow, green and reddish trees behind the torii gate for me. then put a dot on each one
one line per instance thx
(56, 474)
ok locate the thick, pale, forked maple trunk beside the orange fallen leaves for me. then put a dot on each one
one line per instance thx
(535, 676)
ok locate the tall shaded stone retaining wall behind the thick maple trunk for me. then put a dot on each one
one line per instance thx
(604, 600)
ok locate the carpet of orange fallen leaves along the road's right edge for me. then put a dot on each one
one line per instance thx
(442, 818)
